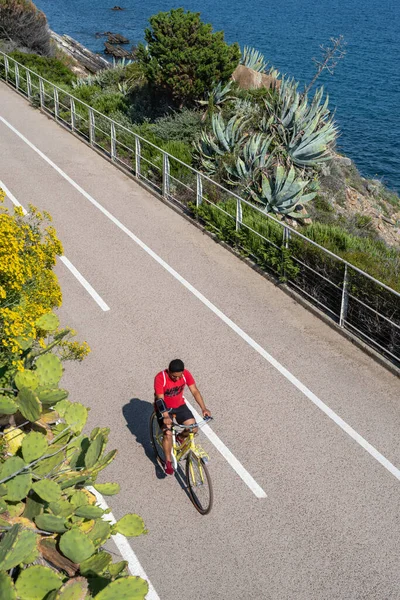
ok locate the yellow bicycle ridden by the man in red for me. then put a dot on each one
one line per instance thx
(197, 475)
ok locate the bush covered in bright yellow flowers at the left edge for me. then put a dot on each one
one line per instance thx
(28, 286)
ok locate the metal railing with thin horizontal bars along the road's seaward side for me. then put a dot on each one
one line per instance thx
(356, 301)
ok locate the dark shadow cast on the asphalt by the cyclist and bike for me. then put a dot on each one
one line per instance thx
(137, 414)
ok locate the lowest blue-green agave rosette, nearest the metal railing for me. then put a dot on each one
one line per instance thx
(283, 192)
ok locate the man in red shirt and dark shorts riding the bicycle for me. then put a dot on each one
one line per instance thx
(168, 390)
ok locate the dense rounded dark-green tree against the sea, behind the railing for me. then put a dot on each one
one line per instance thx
(184, 56)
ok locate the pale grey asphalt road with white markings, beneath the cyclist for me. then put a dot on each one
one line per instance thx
(329, 525)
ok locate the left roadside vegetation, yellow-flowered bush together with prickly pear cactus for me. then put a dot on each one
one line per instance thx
(51, 530)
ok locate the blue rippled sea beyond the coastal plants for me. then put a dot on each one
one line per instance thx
(364, 90)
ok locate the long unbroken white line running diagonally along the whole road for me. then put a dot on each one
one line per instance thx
(272, 361)
